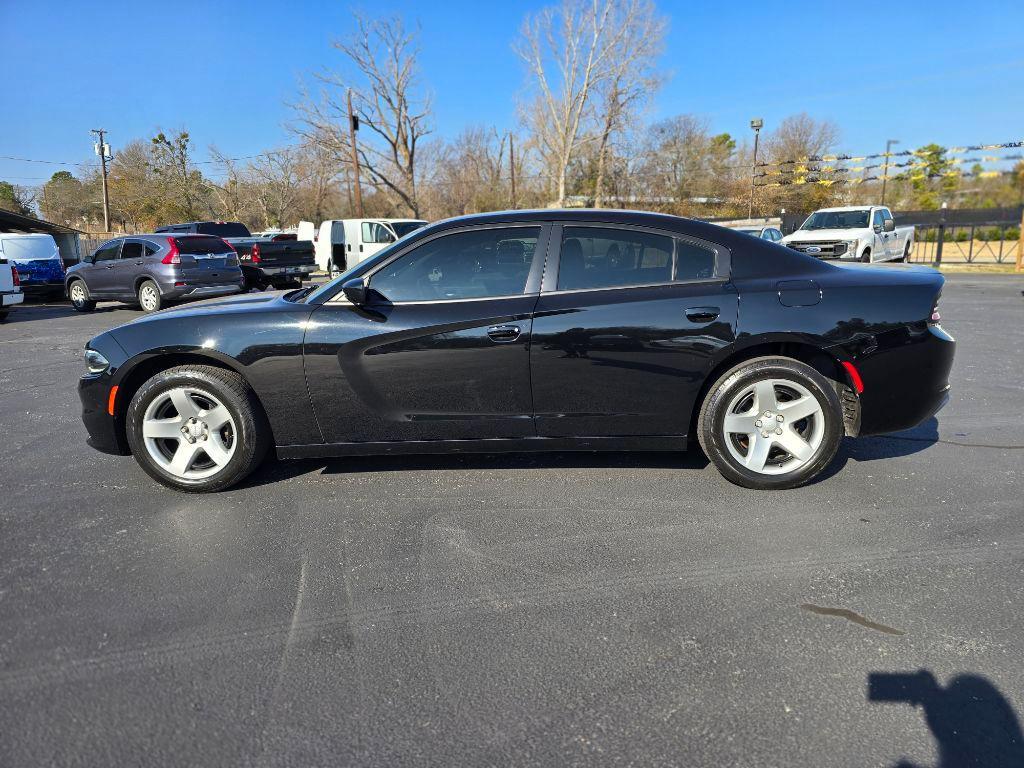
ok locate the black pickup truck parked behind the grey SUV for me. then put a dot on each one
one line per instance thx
(265, 262)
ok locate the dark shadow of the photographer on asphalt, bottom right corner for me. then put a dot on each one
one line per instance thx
(972, 722)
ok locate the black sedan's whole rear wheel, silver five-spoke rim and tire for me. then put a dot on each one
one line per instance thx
(772, 423)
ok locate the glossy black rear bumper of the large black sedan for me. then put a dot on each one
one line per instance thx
(907, 381)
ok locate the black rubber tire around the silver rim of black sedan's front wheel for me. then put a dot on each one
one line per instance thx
(251, 429)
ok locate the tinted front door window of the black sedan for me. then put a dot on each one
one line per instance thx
(464, 266)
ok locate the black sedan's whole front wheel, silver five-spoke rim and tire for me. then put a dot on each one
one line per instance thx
(197, 429)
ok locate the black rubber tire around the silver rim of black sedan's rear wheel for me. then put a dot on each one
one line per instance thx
(712, 437)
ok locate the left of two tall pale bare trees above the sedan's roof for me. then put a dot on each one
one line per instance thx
(567, 50)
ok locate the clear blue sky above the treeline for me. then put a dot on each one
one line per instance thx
(945, 72)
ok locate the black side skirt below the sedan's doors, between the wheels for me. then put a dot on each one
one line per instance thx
(491, 446)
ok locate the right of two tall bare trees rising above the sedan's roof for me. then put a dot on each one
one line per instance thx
(637, 39)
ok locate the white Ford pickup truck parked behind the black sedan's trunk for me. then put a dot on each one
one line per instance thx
(862, 233)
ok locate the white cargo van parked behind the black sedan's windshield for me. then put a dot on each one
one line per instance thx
(342, 244)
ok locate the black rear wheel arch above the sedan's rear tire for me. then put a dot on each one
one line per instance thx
(818, 358)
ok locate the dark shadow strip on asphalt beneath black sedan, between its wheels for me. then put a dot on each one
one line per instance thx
(275, 471)
